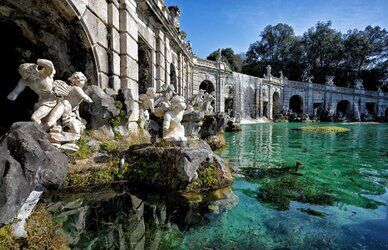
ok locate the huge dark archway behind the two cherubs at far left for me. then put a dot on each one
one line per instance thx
(39, 29)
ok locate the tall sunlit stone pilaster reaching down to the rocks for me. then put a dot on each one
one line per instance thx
(129, 69)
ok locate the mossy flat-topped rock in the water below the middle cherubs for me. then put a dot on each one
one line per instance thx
(184, 167)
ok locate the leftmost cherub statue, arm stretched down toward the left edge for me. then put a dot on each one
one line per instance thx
(41, 82)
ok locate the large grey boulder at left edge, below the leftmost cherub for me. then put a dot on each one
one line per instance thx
(27, 159)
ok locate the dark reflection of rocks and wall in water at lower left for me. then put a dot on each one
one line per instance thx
(115, 218)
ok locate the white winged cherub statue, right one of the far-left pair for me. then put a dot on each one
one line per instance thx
(68, 107)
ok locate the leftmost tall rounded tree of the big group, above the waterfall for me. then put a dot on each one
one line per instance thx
(278, 47)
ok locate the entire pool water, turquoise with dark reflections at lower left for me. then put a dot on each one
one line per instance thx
(335, 199)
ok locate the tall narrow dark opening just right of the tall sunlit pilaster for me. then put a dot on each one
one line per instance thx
(145, 67)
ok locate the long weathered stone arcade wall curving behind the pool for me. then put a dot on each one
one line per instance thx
(137, 44)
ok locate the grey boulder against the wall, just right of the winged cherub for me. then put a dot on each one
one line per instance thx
(102, 110)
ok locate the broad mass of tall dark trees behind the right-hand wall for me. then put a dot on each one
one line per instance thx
(322, 51)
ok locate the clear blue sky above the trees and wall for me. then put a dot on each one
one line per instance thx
(213, 24)
